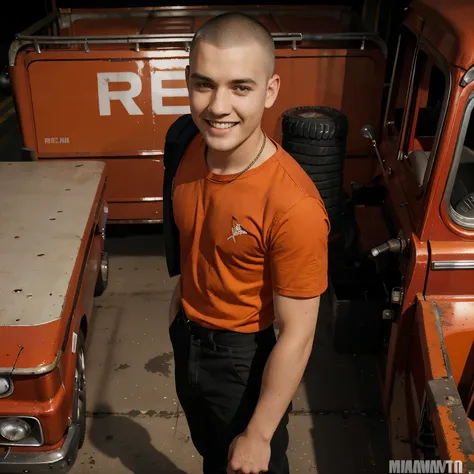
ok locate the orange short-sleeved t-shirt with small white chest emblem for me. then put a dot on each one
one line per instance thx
(265, 231)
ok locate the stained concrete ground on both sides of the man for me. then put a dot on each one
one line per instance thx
(134, 422)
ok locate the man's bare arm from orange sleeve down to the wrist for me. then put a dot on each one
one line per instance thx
(296, 319)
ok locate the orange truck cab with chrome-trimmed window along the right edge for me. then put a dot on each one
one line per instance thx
(425, 152)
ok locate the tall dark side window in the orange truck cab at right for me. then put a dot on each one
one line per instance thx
(412, 126)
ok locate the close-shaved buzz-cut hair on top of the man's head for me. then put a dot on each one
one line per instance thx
(236, 29)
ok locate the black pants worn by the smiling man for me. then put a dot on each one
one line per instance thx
(218, 379)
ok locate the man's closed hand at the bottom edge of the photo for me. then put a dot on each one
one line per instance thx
(248, 454)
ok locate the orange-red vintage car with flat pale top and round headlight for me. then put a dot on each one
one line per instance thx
(53, 216)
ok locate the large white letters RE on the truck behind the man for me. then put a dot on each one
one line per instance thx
(158, 91)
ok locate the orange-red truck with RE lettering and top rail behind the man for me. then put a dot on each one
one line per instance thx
(107, 83)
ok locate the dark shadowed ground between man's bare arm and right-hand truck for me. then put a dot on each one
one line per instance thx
(344, 396)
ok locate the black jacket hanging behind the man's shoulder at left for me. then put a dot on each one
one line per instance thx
(177, 138)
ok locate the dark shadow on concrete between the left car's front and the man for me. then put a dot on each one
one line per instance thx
(121, 437)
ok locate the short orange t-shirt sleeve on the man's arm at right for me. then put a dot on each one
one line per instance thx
(299, 250)
